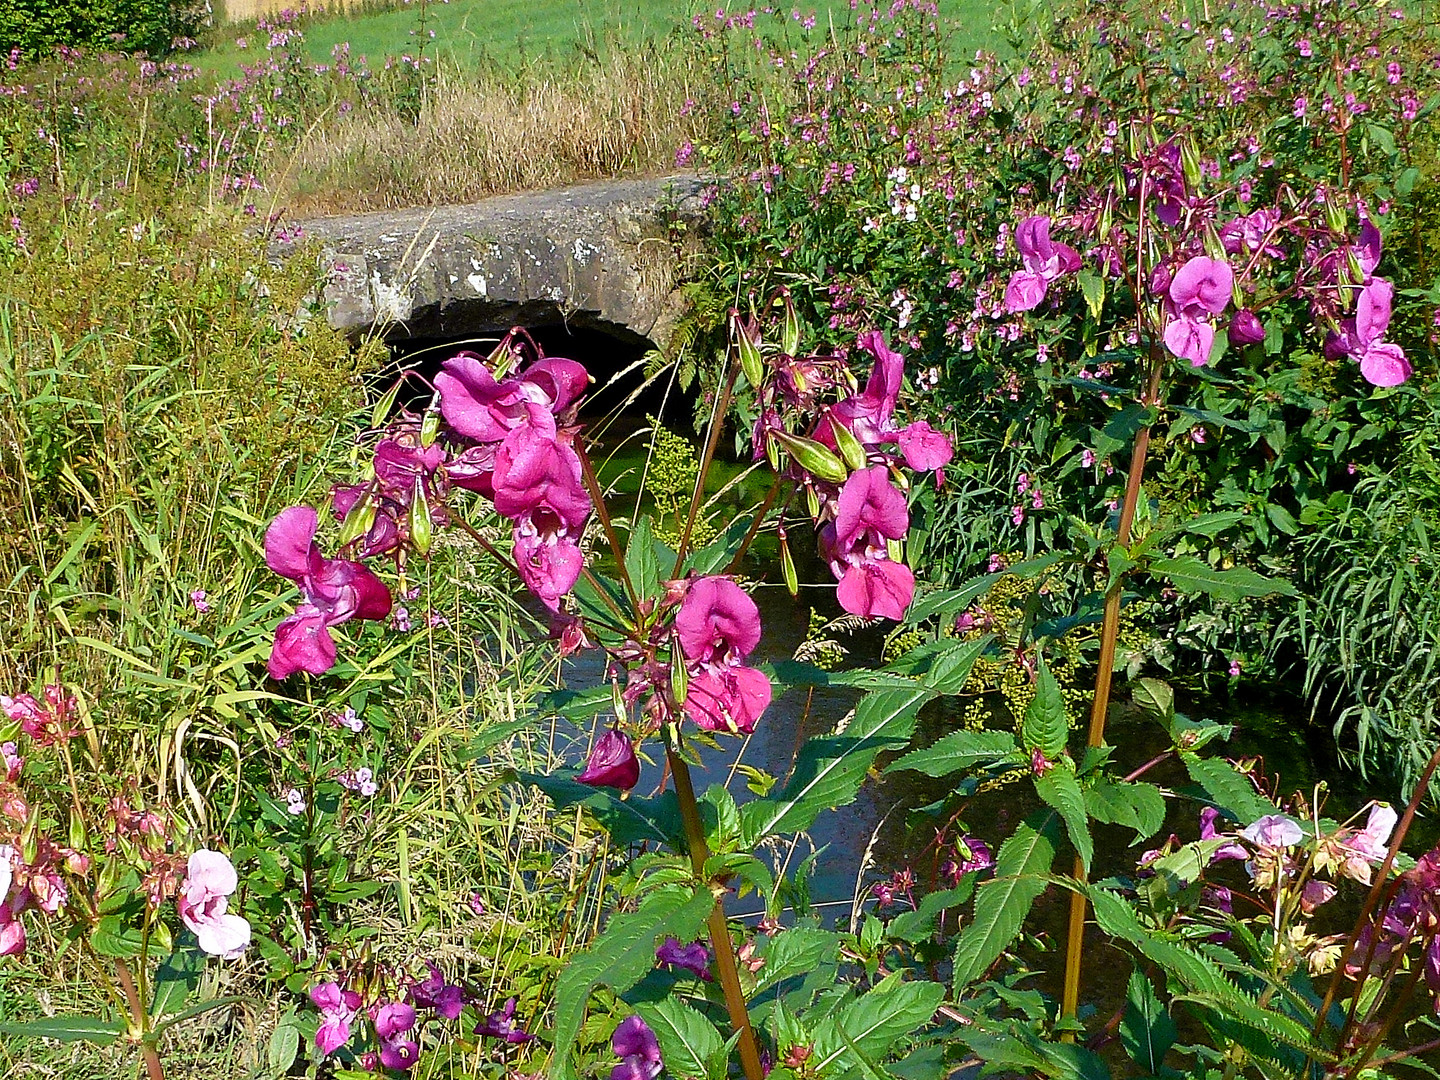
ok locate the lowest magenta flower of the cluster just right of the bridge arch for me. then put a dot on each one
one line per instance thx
(870, 512)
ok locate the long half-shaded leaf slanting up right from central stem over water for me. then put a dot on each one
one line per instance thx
(829, 771)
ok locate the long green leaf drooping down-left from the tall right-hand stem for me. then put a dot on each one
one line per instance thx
(1003, 904)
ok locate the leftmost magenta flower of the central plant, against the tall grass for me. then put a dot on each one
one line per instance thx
(333, 591)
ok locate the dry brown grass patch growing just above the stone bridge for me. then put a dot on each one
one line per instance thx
(489, 133)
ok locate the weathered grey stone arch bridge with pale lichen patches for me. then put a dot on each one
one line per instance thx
(603, 258)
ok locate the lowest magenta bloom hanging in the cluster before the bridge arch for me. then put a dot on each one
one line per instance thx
(539, 486)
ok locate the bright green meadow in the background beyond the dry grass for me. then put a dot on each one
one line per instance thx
(521, 32)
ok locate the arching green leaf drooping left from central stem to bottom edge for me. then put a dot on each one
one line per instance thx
(623, 954)
